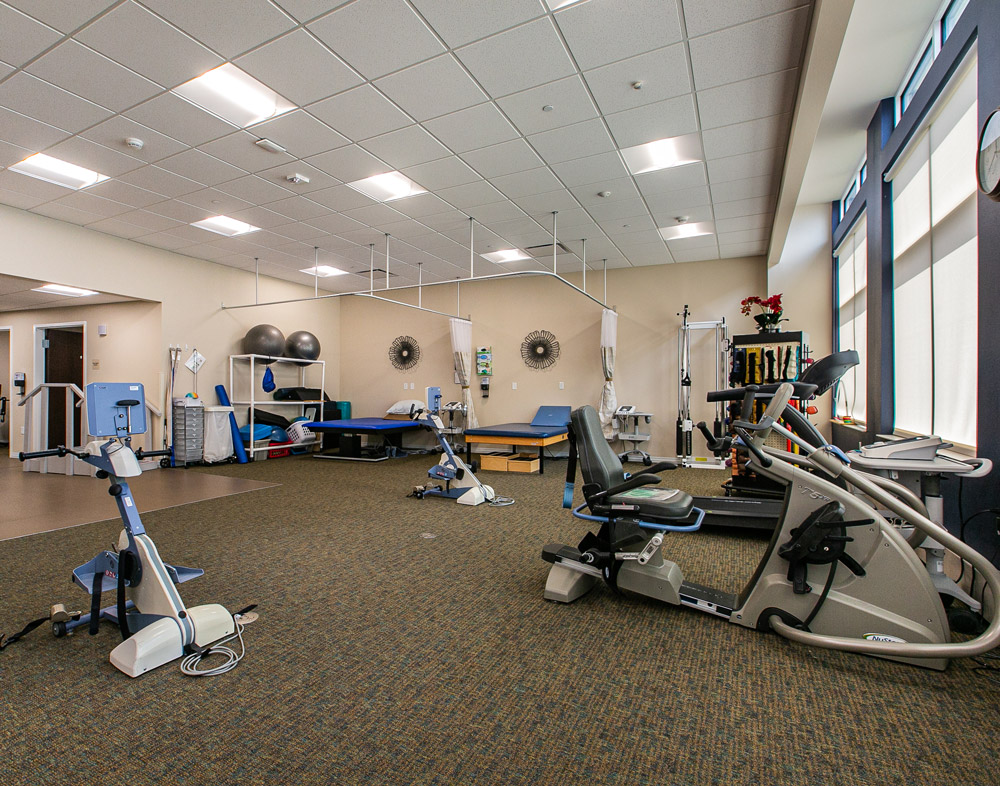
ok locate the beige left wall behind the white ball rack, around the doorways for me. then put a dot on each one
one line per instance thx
(186, 293)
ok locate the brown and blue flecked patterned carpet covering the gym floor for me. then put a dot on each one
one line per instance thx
(384, 656)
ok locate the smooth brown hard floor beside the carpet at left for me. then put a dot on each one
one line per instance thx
(31, 503)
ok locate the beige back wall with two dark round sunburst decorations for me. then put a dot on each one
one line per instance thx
(504, 312)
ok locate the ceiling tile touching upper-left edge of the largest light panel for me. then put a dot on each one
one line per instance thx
(150, 46)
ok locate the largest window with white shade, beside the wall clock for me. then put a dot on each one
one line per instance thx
(935, 269)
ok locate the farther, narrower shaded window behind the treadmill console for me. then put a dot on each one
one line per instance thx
(852, 320)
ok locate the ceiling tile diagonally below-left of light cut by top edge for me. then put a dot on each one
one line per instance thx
(517, 59)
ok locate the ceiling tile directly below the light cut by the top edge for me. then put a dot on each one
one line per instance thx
(604, 32)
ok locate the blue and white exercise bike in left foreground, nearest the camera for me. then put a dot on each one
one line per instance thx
(156, 626)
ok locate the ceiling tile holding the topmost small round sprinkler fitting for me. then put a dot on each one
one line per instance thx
(663, 73)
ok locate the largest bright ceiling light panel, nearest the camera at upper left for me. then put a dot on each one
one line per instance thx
(233, 95)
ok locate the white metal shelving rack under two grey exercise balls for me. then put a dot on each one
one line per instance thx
(283, 369)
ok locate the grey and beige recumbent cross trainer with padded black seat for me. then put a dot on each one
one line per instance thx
(836, 573)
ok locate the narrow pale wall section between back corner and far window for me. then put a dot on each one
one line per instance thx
(804, 275)
